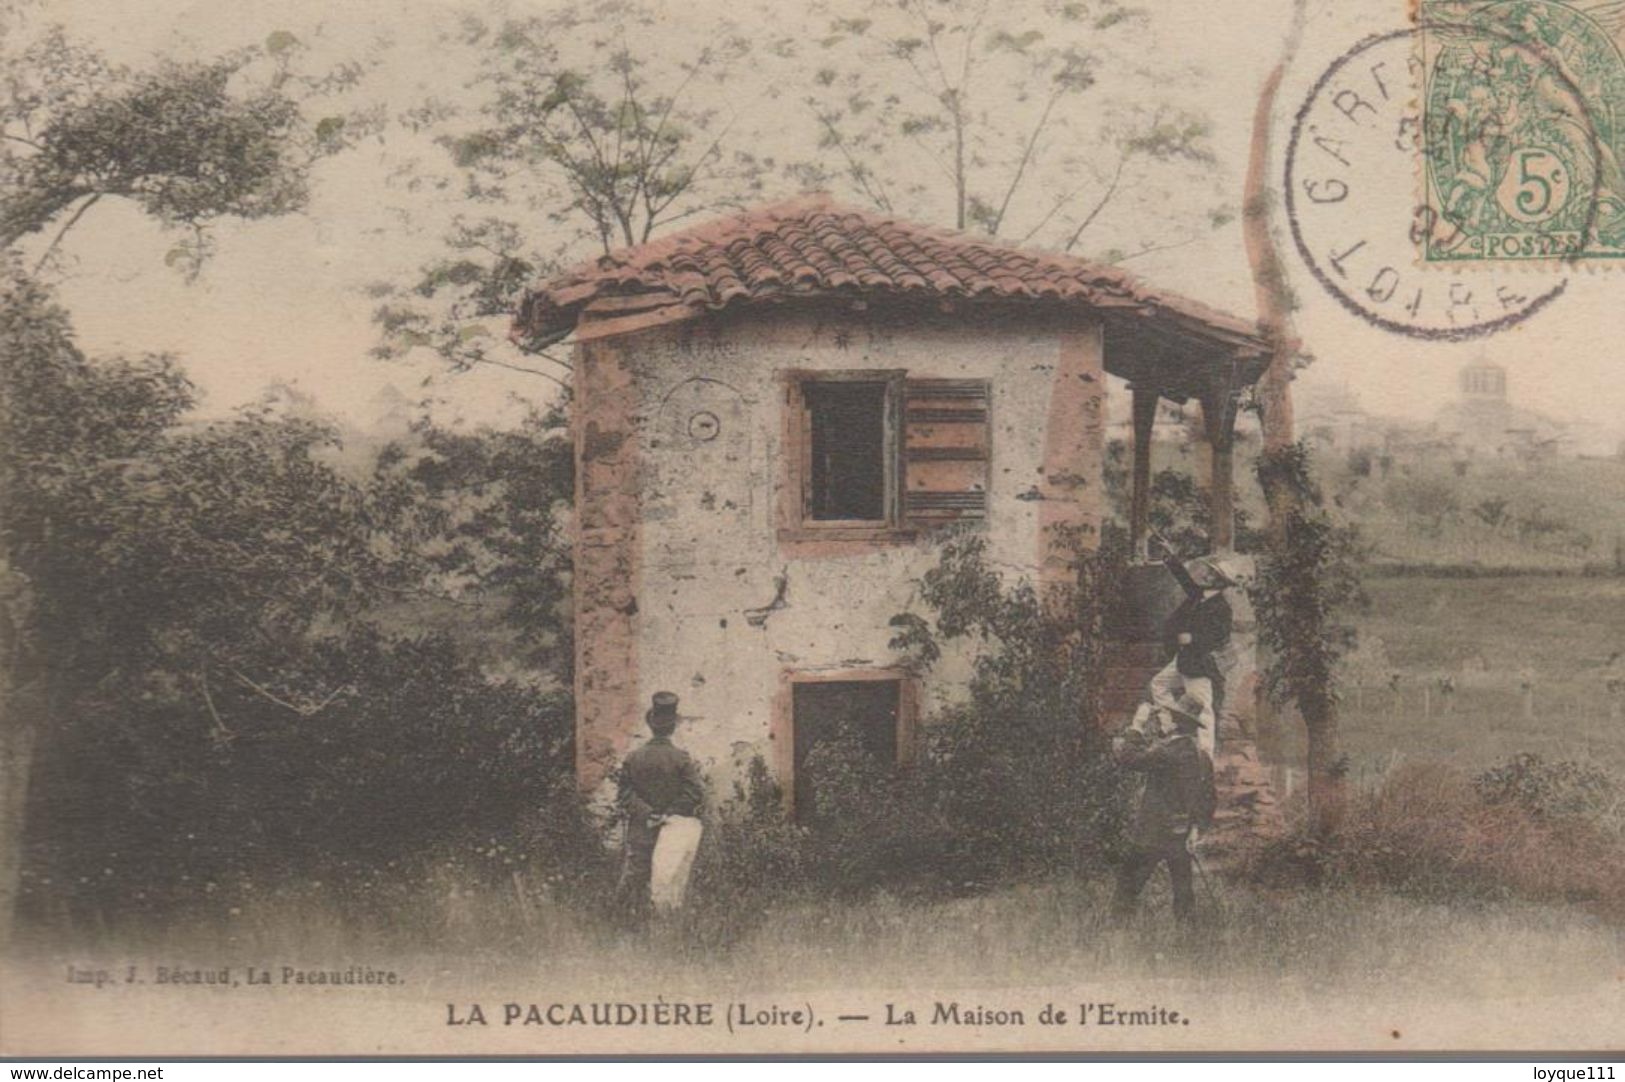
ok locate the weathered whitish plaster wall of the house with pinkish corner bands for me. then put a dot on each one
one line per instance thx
(706, 404)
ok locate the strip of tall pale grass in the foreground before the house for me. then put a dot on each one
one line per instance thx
(1041, 935)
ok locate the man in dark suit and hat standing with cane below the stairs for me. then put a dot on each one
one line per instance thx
(1176, 802)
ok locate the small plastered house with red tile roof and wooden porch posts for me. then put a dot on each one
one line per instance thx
(776, 417)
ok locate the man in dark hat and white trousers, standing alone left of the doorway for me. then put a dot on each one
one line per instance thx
(661, 792)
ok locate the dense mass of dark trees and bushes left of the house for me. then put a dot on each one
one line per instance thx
(201, 685)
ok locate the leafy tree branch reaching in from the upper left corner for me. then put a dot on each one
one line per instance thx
(186, 142)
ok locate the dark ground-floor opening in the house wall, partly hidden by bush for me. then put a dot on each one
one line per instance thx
(847, 727)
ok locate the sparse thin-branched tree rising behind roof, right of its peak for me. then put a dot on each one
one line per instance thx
(956, 102)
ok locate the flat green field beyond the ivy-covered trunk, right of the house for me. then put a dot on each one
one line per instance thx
(1488, 636)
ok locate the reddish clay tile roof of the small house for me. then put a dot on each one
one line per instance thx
(810, 248)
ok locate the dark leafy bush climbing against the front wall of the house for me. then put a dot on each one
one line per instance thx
(1008, 786)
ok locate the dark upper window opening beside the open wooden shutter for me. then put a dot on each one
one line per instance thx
(847, 423)
